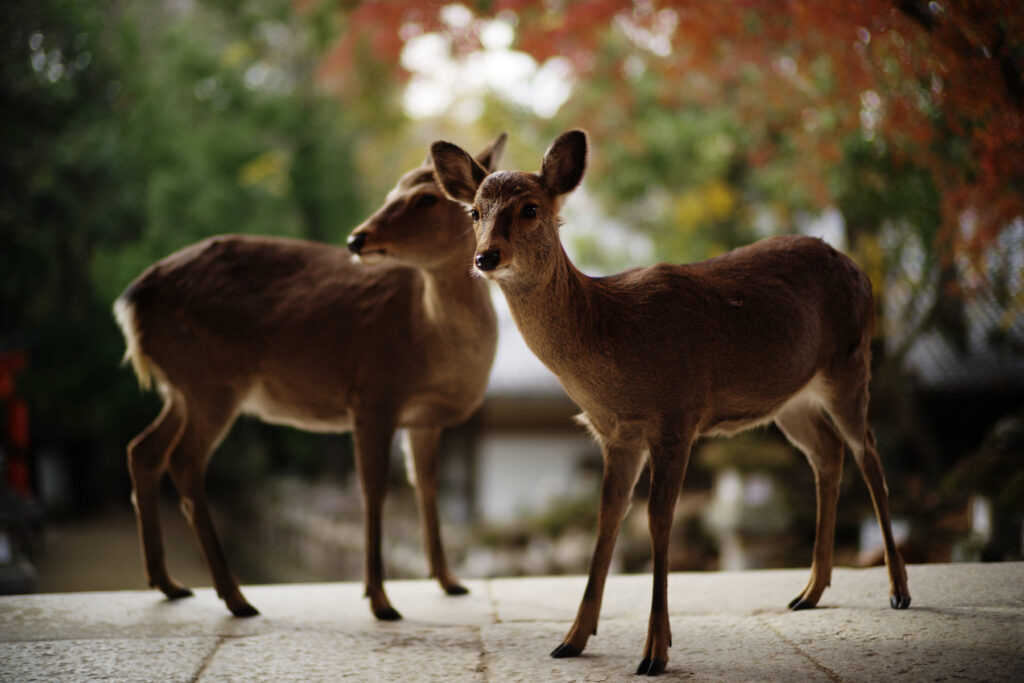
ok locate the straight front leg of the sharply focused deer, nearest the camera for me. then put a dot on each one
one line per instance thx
(668, 465)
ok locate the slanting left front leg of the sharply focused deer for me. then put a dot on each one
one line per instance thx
(622, 467)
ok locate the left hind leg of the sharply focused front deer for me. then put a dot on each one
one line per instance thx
(808, 430)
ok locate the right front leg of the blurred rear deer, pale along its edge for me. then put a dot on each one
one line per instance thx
(423, 448)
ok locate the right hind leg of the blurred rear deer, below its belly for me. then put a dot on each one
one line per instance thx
(188, 469)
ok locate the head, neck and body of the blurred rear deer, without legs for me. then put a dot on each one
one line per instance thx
(297, 332)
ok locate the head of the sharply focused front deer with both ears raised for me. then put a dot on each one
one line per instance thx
(516, 215)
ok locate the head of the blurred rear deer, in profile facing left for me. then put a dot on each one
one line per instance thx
(397, 231)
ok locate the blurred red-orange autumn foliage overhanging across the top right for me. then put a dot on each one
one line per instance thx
(934, 86)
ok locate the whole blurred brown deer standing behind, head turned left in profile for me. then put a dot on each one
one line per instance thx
(296, 333)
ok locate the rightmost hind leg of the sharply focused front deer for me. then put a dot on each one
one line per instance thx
(850, 415)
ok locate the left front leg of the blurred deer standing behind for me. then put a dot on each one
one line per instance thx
(374, 432)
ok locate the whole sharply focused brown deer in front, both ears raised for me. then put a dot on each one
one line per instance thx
(775, 332)
